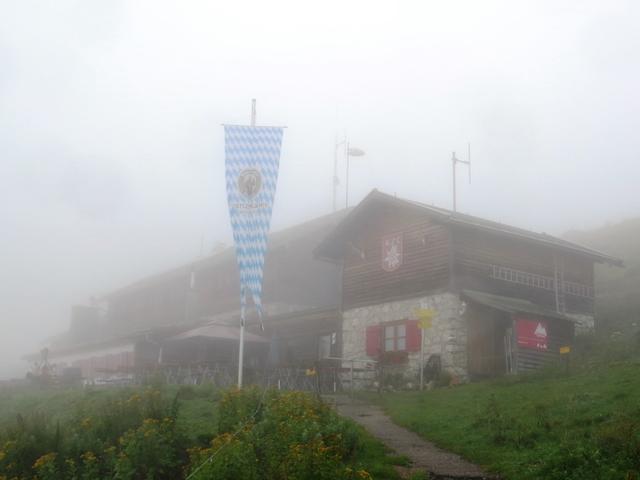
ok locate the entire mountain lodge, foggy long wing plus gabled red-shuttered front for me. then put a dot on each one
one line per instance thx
(353, 285)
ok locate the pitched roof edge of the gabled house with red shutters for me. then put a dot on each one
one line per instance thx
(327, 248)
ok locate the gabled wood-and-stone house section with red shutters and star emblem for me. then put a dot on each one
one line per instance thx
(500, 299)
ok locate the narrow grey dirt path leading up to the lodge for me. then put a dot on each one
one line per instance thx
(440, 464)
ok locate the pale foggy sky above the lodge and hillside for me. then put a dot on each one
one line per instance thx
(111, 147)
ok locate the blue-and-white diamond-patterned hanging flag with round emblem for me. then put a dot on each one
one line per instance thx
(252, 157)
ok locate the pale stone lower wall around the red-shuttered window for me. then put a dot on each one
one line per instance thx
(447, 337)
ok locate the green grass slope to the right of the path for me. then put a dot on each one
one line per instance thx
(585, 426)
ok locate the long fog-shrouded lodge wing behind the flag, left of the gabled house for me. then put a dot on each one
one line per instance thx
(184, 323)
